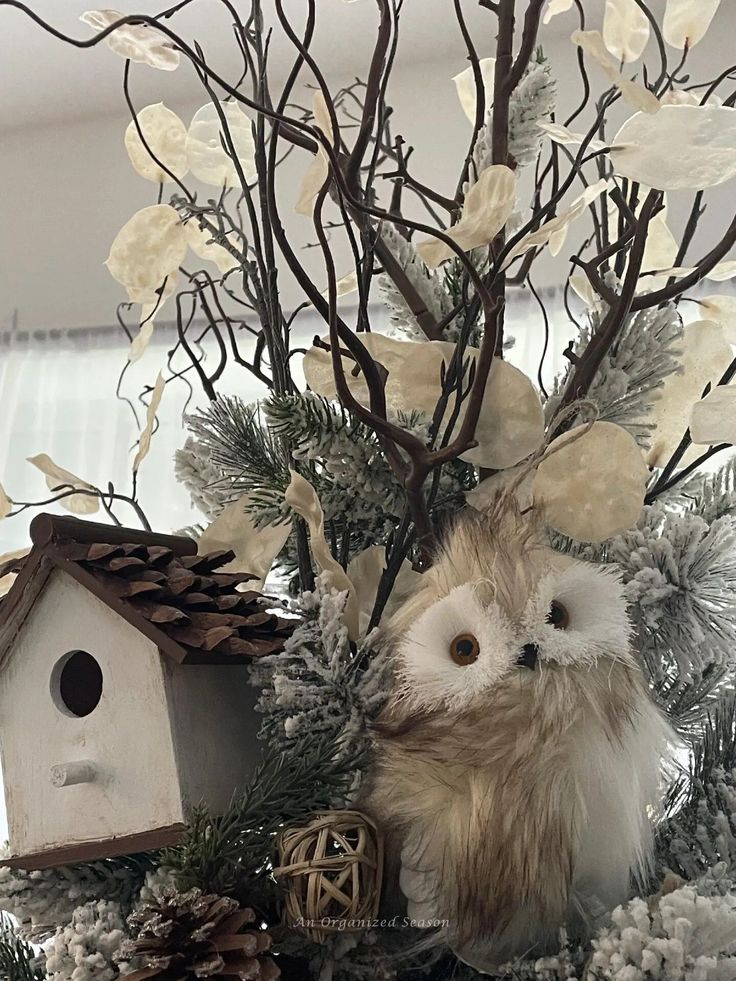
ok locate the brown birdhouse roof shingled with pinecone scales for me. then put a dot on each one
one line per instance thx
(158, 583)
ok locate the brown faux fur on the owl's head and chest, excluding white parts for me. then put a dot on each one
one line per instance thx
(493, 793)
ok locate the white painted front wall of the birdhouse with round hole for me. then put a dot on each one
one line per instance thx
(127, 737)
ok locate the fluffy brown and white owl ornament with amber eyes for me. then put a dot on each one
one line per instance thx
(519, 757)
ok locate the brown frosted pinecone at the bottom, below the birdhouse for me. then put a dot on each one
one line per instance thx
(190, 935)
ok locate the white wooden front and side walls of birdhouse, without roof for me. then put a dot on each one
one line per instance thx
(162, 737)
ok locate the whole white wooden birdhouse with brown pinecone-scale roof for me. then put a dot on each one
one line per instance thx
(124, 695)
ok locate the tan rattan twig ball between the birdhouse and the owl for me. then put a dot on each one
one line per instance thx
(332, 870)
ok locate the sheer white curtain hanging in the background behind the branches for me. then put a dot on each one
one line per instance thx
(57, 396)
